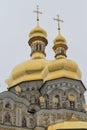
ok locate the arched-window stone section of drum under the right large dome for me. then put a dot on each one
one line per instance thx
(59, 98)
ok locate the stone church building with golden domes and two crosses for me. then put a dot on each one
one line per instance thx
(43, 94)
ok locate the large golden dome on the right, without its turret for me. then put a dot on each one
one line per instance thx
(62, 68)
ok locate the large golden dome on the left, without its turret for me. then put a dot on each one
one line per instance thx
(27, 71)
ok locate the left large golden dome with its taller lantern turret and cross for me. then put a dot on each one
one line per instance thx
(31, 69)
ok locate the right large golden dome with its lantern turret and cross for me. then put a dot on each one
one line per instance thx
(61, 66)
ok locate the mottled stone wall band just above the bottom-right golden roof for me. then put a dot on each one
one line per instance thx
(48, 118)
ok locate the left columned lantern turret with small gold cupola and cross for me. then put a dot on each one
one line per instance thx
(38, 39)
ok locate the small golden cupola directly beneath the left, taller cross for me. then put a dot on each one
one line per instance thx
(38, 31)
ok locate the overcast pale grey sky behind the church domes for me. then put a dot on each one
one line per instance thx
(17, 19)
